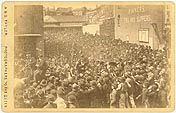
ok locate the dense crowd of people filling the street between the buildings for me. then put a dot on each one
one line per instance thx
(92, 71)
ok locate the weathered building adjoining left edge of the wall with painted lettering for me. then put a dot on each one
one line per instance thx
(103, 18)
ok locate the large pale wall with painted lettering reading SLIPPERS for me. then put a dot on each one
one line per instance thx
(140, 24)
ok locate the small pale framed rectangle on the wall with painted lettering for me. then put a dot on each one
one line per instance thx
(144, 35)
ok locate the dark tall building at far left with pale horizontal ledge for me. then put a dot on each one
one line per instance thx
(28, 30)
